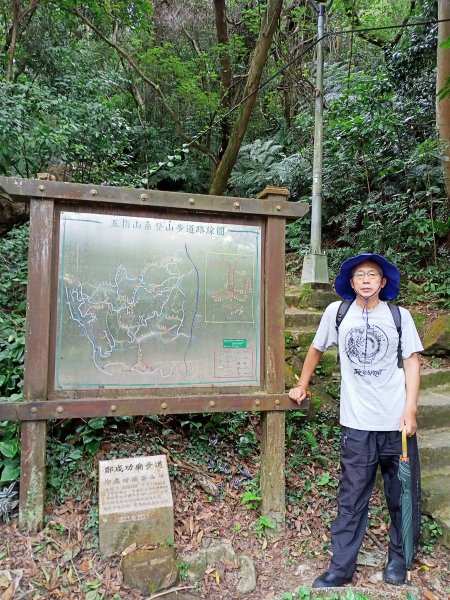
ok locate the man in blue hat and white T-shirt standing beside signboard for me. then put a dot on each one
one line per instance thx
(378, 398)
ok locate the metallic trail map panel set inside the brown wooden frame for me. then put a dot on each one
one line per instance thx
(146, 302)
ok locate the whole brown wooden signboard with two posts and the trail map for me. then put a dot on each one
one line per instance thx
(148, 302)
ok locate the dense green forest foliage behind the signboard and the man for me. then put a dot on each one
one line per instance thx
(146, 95)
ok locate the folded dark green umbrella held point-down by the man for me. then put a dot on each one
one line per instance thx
(404, 474)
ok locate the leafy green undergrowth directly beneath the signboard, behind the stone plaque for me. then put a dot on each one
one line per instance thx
(223, 447)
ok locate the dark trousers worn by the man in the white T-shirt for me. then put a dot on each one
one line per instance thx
(361, 453)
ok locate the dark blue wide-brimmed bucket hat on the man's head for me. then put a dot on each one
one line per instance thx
(390, 272)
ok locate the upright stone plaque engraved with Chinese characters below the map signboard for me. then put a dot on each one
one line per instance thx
(135, 503)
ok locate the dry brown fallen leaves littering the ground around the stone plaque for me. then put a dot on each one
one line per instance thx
(63, 560)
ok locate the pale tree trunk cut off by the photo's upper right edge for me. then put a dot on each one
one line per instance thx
(443, 74)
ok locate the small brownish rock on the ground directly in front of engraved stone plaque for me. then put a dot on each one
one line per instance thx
(150, 570)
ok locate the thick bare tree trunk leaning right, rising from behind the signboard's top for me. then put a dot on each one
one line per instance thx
(268, 27)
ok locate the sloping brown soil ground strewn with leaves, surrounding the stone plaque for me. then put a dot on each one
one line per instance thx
(63, 561)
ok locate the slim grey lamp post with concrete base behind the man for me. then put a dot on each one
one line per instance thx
(315, 266)
